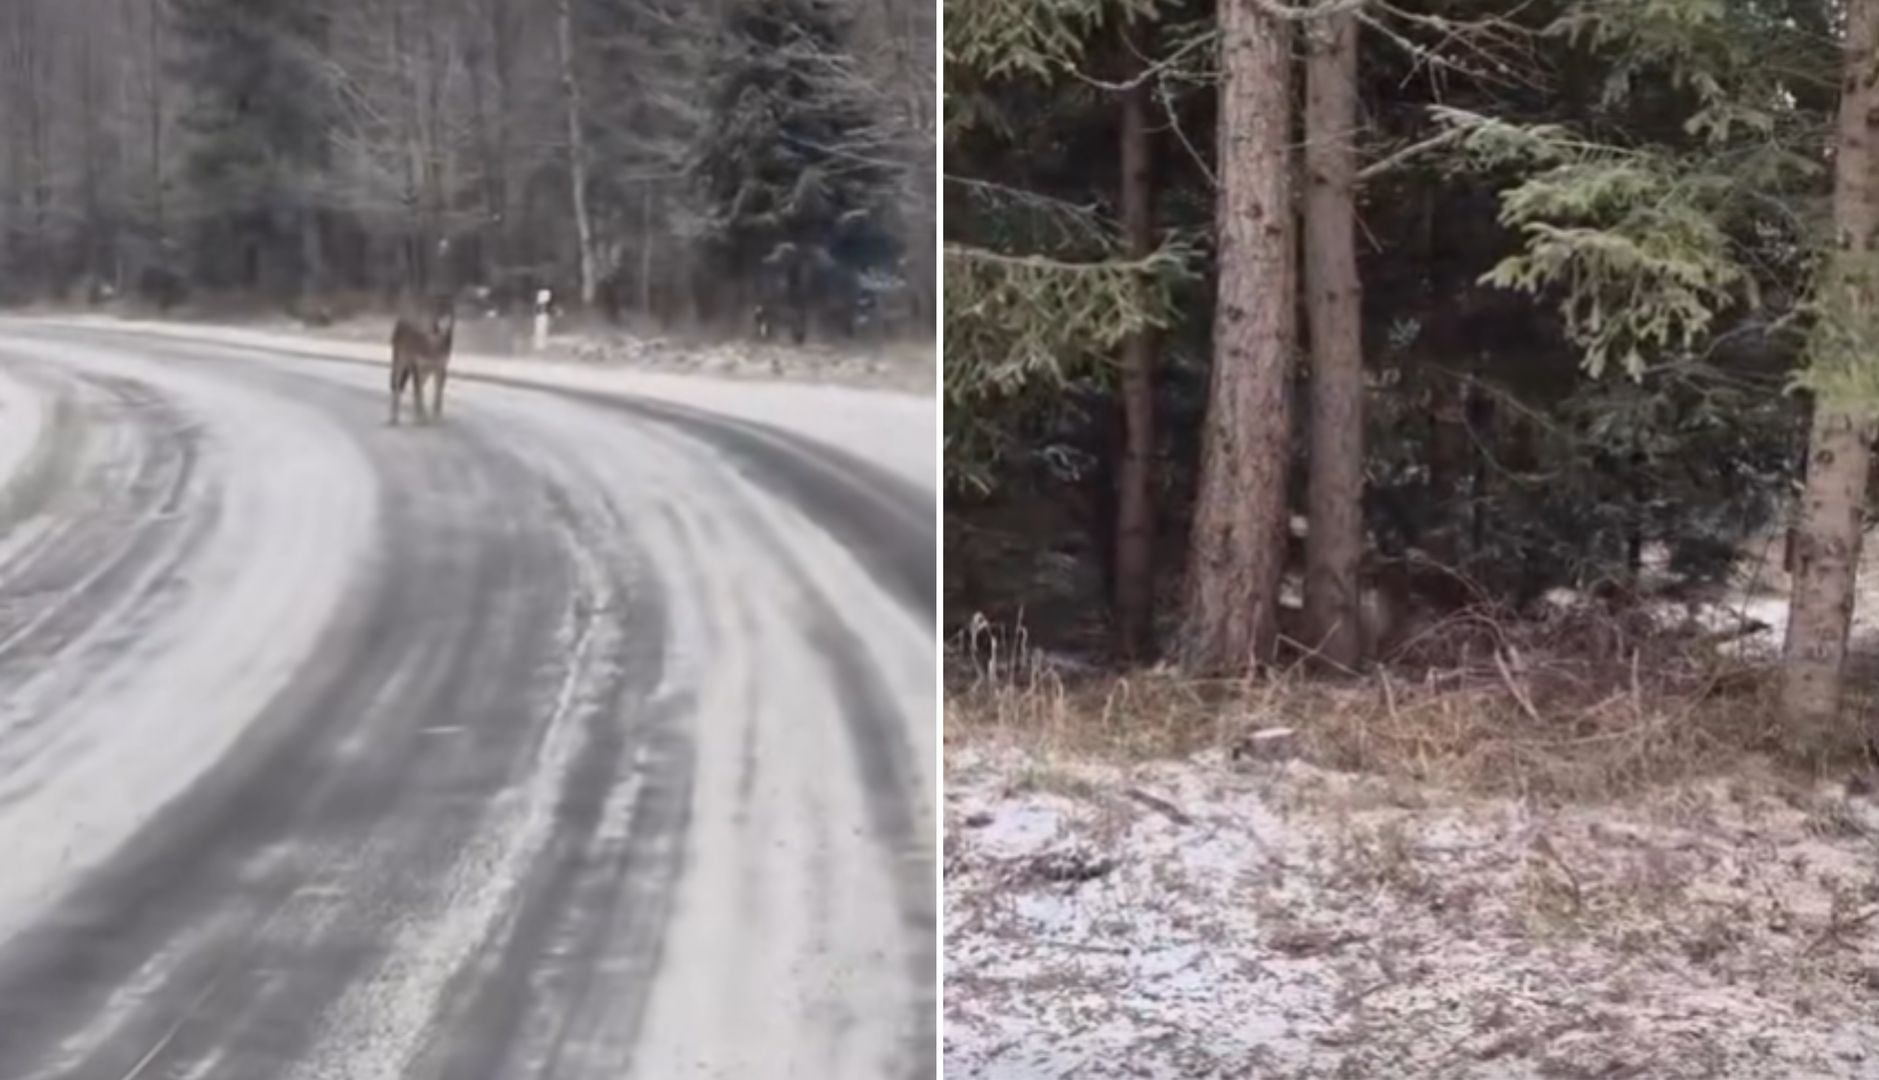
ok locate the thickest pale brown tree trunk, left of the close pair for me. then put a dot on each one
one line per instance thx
(1230, 615)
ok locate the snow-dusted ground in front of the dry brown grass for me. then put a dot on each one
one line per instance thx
(1271, 919)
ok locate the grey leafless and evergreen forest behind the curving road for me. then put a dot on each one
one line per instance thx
(651, 161)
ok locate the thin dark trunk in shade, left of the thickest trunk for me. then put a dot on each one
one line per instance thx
(1136, 508)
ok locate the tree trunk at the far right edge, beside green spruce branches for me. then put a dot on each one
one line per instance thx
(1840, 446)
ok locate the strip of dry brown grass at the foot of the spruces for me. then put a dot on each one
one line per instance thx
(1589, 707)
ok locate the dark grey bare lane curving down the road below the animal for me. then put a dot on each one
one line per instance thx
(349, 884)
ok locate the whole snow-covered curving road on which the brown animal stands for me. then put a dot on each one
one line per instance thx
(587, 733)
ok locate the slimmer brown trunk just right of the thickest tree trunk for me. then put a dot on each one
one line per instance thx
(1335, 320)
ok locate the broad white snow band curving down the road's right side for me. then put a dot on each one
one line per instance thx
(807, 899)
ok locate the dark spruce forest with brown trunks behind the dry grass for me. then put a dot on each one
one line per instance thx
(1435, 311)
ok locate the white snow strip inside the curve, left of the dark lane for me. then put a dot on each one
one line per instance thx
(140, 651)
